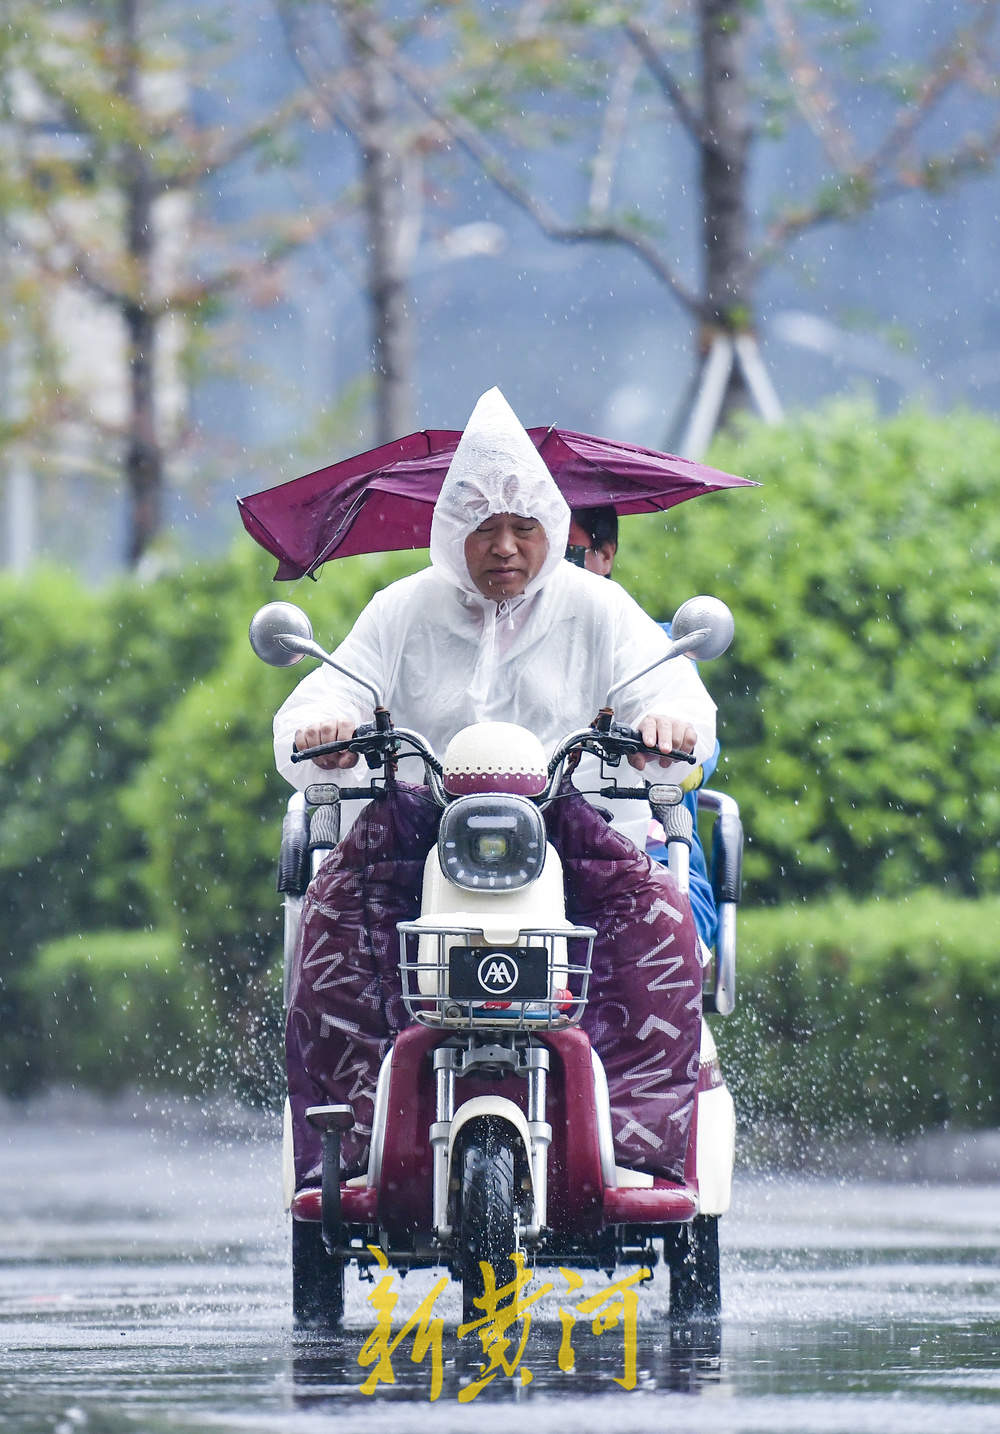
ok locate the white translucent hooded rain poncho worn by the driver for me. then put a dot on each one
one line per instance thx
(444, 656)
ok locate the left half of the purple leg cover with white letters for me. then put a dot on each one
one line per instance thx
(345, 1002)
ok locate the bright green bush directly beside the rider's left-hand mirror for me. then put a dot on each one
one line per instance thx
(212, 802)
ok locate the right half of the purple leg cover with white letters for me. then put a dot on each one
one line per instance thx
(645, 1015)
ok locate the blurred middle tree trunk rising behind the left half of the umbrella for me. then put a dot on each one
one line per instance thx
(387, 204)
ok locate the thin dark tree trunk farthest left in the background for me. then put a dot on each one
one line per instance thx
(144, 461)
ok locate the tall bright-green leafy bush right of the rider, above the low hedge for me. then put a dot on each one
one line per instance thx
(860, 705)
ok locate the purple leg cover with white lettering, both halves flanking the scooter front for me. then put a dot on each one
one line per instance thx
(646, 997)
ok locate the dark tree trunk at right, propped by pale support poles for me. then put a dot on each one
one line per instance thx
(725, 160)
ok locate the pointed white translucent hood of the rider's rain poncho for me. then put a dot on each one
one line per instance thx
(496, 470)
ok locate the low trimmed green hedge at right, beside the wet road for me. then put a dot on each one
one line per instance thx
(882, 1017)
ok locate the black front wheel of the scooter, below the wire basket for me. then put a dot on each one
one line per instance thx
(489, 1215)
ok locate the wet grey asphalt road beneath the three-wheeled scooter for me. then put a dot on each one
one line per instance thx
(144, 1287)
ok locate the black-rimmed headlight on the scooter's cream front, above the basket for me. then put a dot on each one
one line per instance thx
(491, 842)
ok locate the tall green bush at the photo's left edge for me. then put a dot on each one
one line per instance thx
(87, 679)
